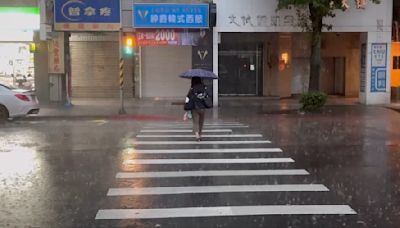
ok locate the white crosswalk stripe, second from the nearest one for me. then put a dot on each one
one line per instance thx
(217, 189)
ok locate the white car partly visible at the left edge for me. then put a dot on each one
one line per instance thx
(17, 102)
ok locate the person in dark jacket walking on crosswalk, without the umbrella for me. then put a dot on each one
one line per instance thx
(198, 95)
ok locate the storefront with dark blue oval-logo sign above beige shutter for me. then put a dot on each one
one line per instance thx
(90, 68)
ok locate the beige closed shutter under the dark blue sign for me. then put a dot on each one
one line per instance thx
(95, 70)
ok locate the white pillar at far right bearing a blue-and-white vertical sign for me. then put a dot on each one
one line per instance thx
(375, 75)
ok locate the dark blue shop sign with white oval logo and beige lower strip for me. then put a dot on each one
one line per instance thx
(87, 15)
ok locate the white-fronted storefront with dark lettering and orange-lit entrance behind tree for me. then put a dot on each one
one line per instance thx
(262, 52)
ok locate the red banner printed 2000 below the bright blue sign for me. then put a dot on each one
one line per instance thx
(160, 37)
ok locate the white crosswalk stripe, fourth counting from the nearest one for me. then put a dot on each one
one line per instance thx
(207, 161)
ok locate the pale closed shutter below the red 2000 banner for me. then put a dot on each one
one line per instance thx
(160, 69)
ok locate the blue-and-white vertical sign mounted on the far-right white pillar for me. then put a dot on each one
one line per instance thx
(378, 67)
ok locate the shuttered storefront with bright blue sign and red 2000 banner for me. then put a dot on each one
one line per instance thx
(172, 39)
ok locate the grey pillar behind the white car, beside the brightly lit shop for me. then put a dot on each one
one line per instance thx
(41, 70)
